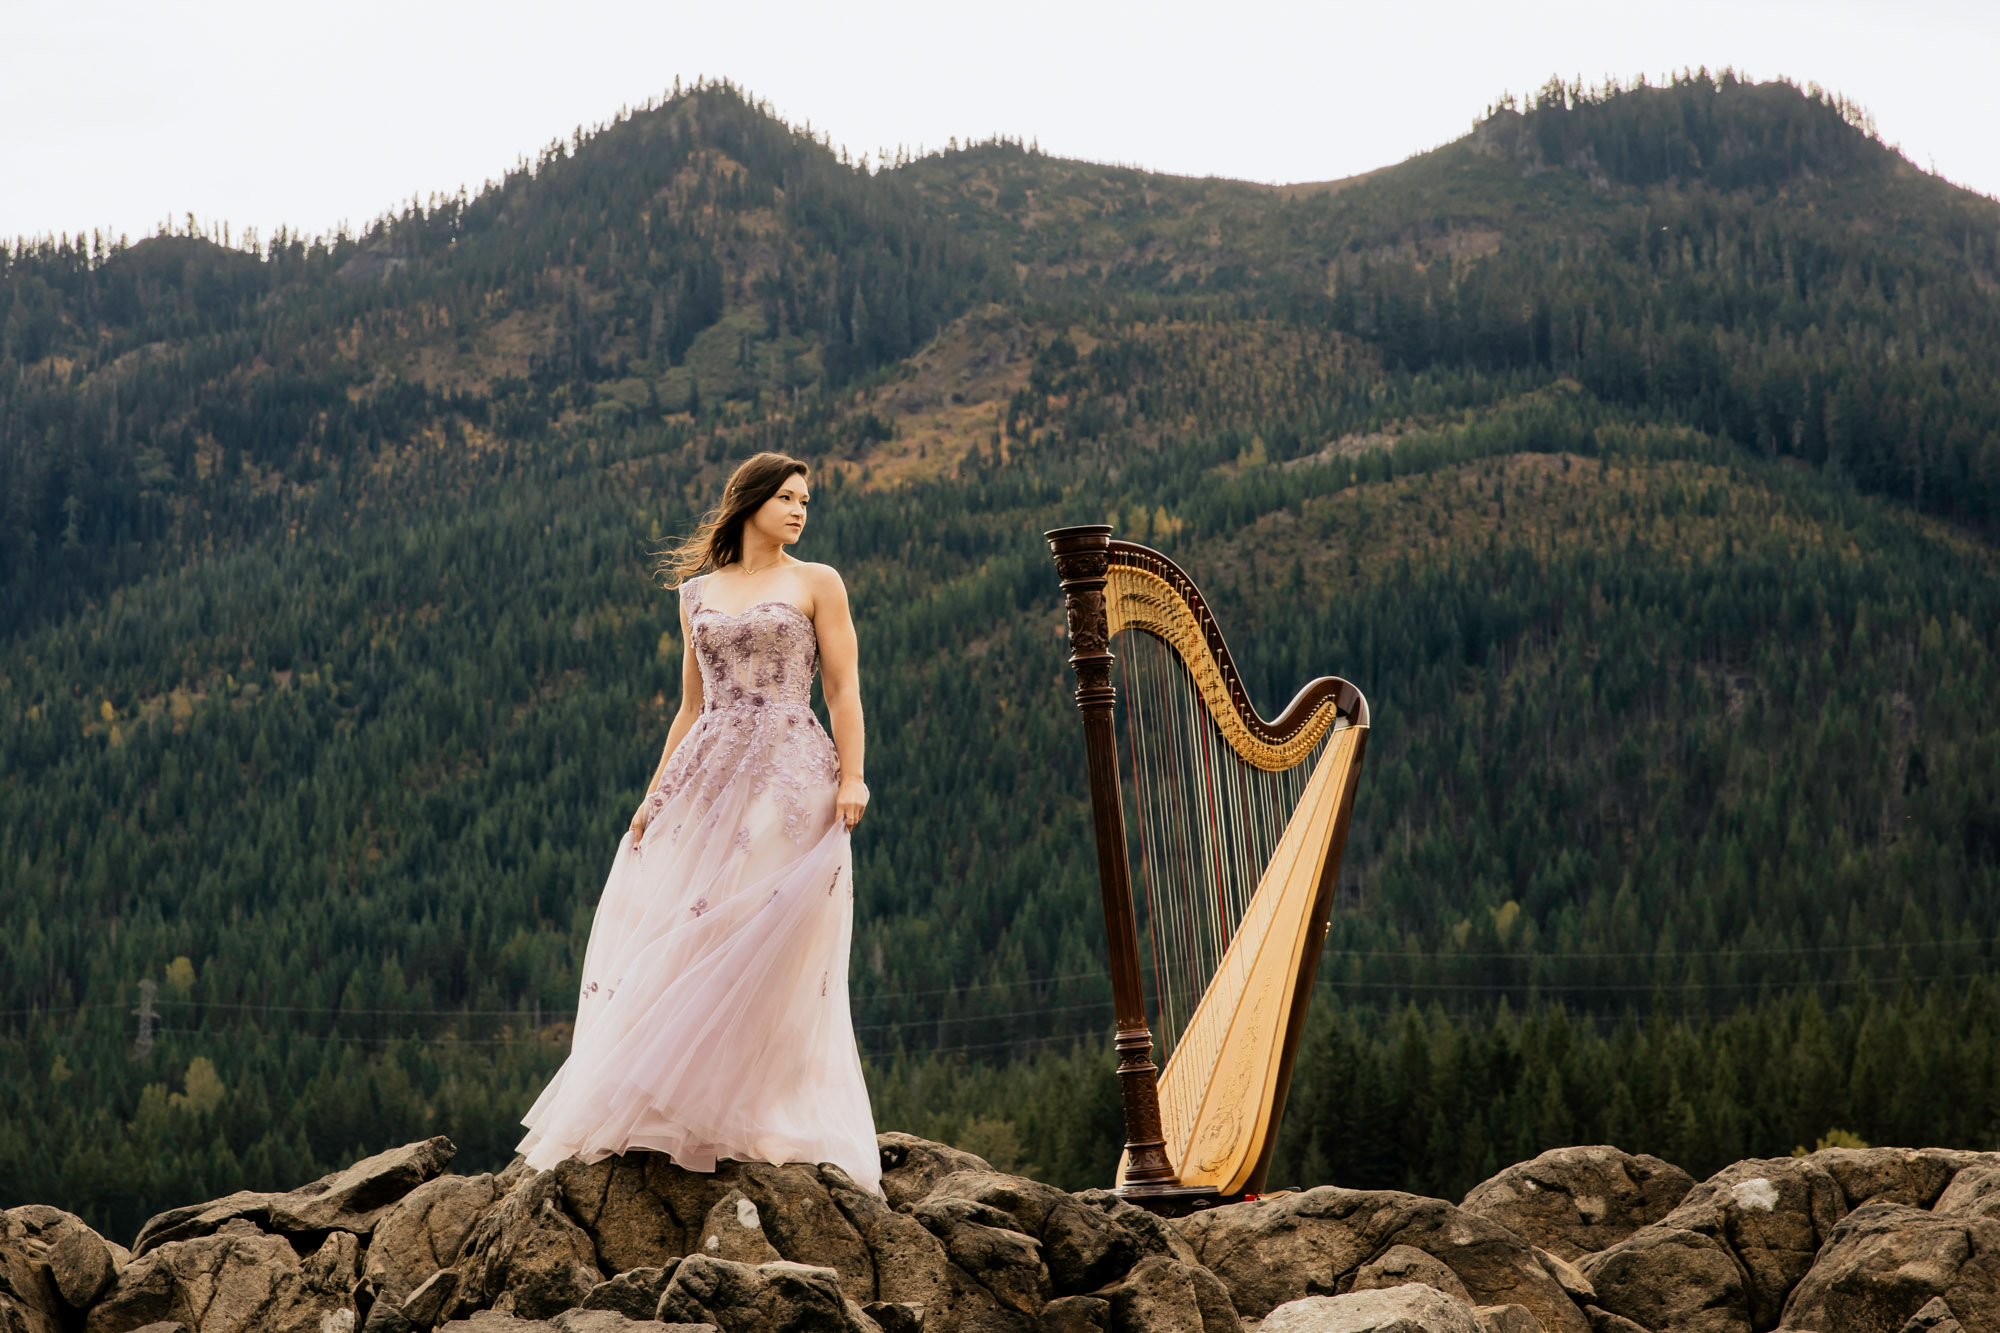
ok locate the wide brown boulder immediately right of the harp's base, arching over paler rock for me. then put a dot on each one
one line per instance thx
(1279, 1250)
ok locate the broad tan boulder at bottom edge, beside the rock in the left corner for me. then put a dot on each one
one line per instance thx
(237, 1280)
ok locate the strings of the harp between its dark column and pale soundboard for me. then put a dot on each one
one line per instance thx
(1205, 830)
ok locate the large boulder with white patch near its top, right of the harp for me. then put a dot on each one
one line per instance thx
(1761, 1226)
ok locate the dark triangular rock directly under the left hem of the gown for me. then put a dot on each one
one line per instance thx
(525, 1256)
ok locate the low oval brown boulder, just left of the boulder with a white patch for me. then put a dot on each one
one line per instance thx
(1581, 1200)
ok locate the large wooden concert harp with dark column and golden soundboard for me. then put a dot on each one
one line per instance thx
(1239, 828)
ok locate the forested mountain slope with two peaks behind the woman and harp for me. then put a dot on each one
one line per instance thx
(1637, 455)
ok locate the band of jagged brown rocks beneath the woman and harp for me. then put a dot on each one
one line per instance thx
(1575, 1242)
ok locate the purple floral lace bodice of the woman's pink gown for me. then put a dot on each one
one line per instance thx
(757, 730)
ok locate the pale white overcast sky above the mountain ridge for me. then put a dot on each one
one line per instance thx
(123, 113)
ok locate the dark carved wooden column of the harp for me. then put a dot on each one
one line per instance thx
(1083, 561)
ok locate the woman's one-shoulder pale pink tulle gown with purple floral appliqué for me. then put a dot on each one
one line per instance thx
(715, 998)
